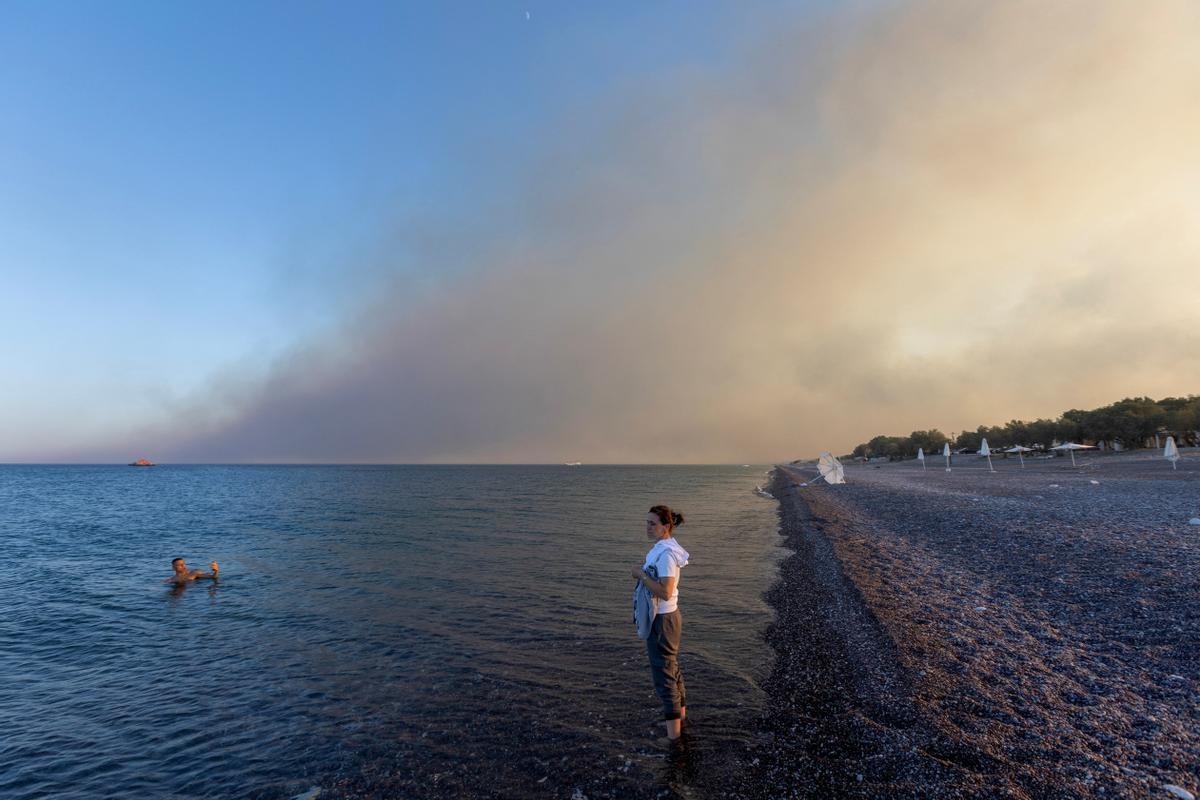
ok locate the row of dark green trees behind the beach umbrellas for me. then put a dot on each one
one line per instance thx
(1126, 425)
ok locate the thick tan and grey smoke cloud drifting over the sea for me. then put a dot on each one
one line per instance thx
(937, 214)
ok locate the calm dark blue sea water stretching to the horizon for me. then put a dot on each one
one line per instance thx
(377, 631)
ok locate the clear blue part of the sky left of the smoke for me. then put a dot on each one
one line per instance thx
(190, 187)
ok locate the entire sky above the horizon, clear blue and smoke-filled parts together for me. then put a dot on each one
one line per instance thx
(625, 233)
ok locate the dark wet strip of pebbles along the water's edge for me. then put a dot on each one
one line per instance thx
(839, 720)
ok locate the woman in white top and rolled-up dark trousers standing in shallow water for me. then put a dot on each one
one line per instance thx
(661, 576)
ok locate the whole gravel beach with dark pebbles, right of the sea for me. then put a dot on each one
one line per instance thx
(1031, 633)
